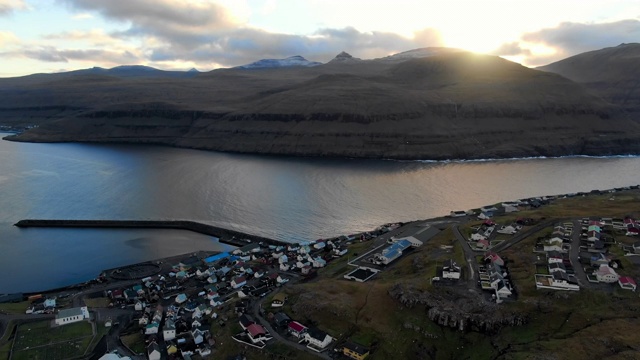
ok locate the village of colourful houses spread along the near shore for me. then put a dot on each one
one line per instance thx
(179, 311)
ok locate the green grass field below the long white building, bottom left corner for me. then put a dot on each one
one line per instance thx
(38, 340)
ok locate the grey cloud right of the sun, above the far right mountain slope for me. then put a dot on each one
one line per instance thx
(569, 38)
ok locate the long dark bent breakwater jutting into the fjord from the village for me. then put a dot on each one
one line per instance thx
(225, 236)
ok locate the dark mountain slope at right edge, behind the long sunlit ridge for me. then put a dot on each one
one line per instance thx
(612, 73)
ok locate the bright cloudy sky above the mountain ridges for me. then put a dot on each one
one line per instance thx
(62, 35)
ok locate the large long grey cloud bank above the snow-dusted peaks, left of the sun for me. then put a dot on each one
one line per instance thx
(209, 34)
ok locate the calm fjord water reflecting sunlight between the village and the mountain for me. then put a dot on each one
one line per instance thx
(285, 198)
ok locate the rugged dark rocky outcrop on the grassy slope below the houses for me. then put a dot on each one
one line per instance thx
(458, 308)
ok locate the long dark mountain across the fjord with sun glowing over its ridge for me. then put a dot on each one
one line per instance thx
(423, 104)
